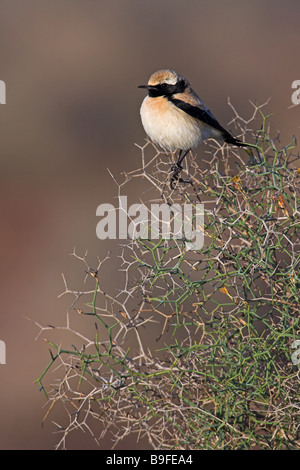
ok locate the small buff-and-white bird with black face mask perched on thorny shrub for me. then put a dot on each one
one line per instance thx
(175, 118)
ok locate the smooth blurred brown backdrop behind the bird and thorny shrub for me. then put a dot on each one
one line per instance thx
(71, 69)
